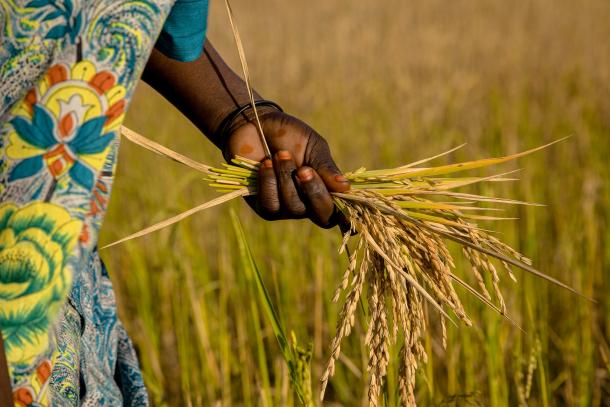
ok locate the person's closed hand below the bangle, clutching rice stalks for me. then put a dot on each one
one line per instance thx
(297, 181)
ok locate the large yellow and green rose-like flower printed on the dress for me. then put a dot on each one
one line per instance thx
(36, 241)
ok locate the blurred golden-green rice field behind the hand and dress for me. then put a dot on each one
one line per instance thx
(386, 83)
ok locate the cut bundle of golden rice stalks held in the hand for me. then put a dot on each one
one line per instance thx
(401, 220)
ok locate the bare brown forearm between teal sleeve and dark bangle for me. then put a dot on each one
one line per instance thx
(205, 90)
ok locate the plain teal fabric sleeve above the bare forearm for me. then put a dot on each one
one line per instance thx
(184, 31)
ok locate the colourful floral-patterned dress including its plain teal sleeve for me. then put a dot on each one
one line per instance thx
(68, 69)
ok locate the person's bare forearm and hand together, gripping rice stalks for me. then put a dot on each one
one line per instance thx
(298, 179)
